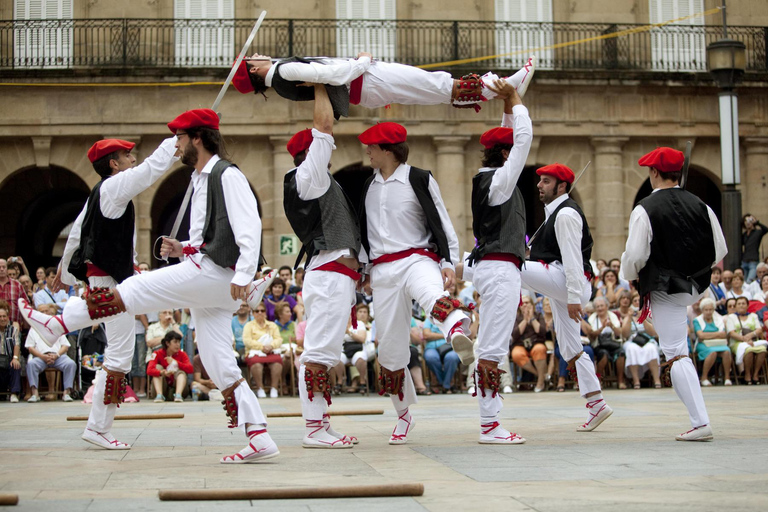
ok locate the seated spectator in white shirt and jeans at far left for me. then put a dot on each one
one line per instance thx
(49, 356)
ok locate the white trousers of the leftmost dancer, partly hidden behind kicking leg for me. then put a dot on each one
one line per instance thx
(118, 354)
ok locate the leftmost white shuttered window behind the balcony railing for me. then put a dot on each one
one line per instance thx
(43, 33)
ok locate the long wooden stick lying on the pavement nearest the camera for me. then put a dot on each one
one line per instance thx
(285, 493)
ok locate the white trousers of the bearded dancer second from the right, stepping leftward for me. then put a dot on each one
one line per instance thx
(549, 280)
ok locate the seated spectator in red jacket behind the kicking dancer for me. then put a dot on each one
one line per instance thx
(170, 363)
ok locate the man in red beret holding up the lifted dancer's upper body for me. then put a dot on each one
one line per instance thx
(324, 219)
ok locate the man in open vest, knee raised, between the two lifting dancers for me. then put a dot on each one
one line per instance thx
(411, 248)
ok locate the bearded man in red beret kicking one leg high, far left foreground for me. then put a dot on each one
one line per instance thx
(215, 274)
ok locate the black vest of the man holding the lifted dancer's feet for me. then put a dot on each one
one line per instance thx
(498, 228)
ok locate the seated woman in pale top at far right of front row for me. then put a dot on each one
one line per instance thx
(747, 341)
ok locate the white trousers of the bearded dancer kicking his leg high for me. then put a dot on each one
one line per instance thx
(206, 292)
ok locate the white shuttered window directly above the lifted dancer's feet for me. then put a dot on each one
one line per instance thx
(532, 28)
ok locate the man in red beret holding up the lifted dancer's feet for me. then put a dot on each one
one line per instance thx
(498, 222)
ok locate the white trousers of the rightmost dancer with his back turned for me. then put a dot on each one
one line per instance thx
(671, 323)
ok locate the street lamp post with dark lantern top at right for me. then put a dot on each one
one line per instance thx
(726, 61)
